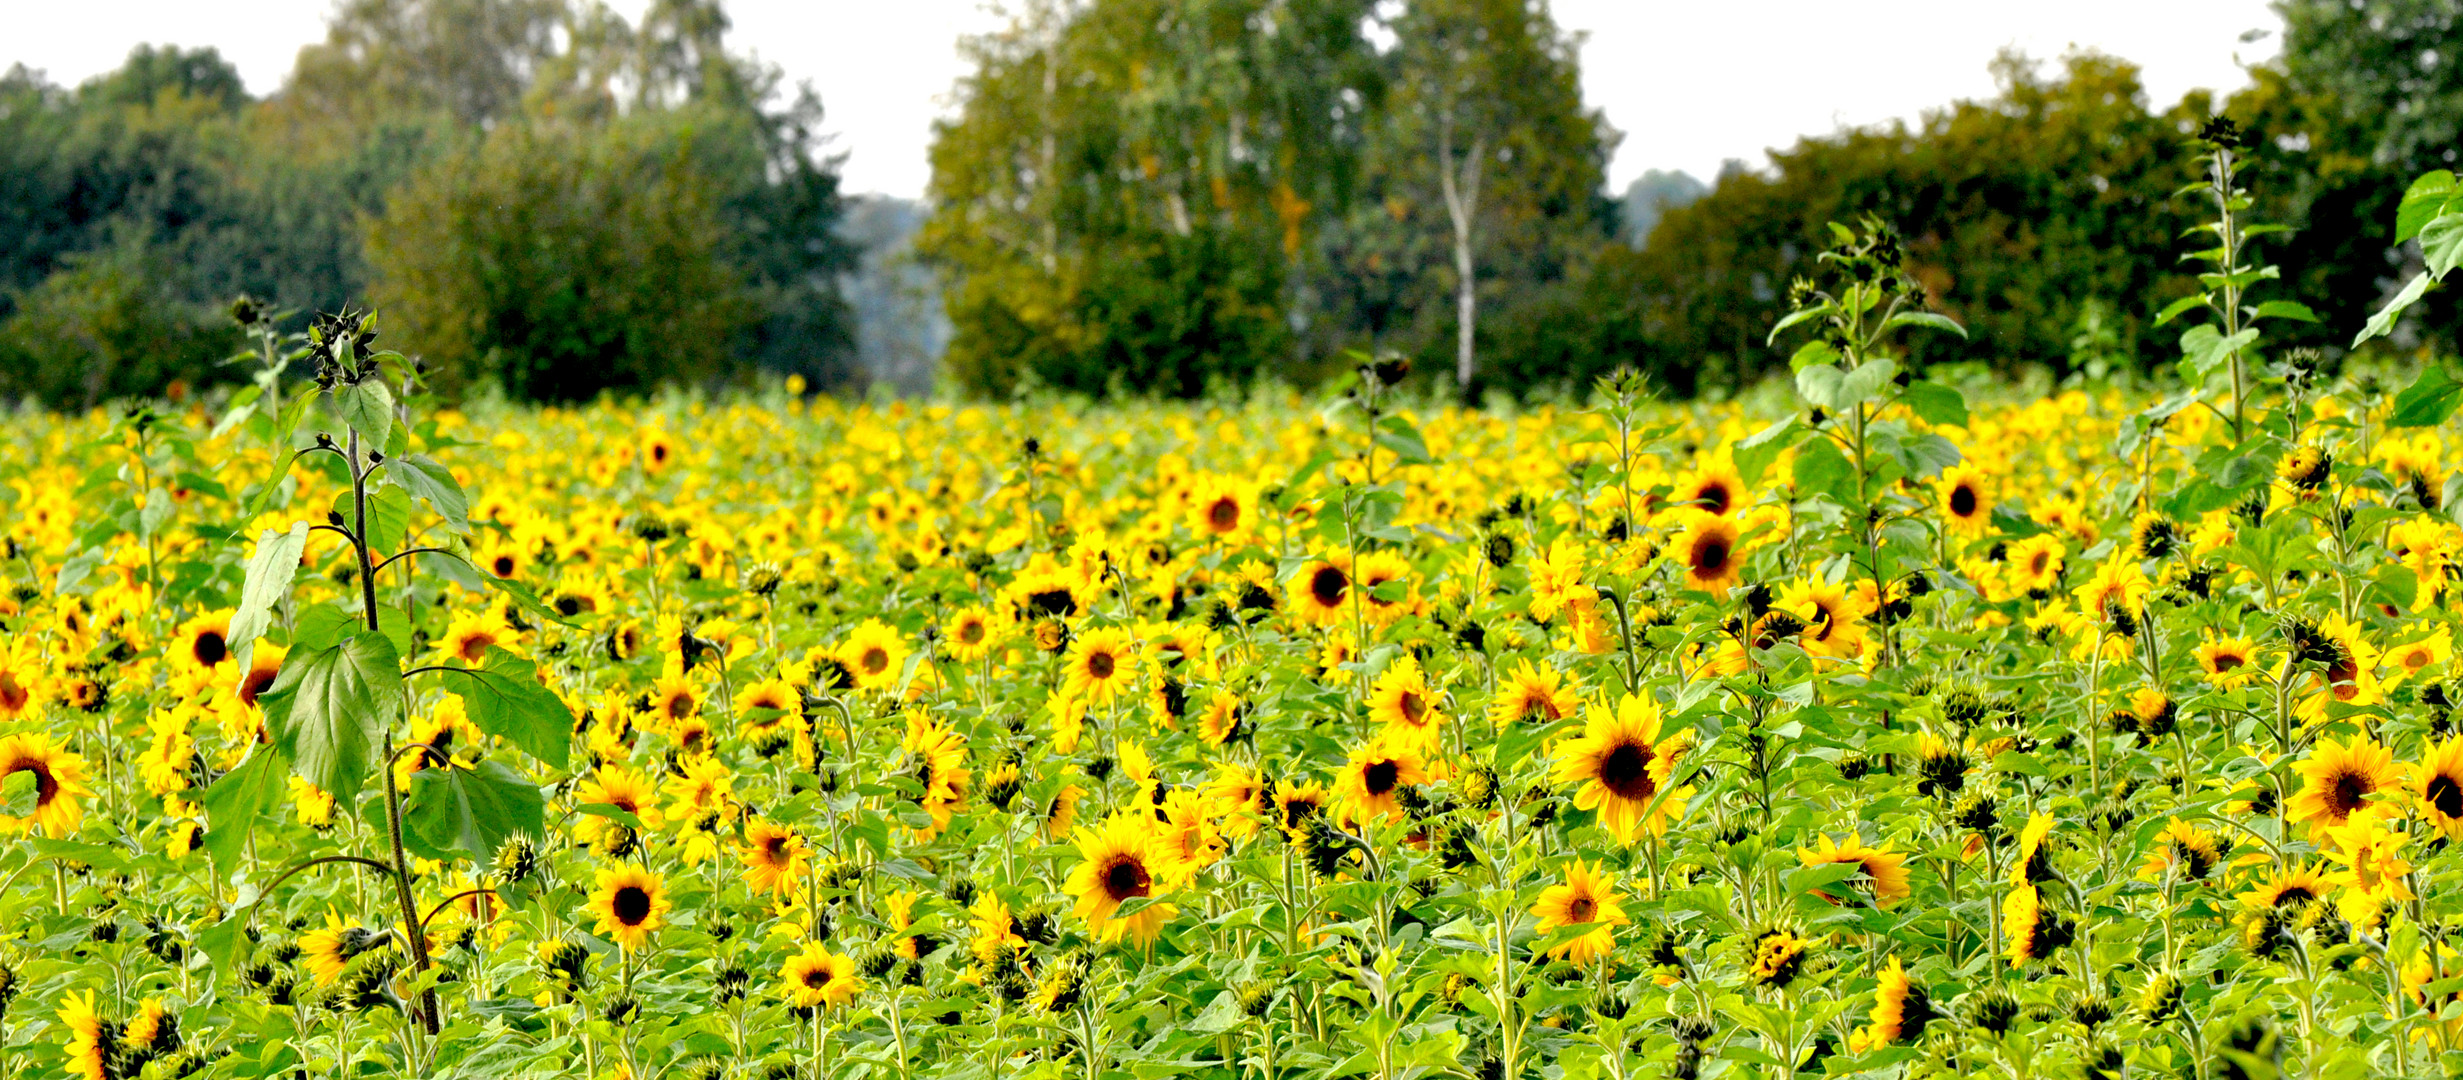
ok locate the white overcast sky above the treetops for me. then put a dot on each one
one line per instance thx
(1691, 83)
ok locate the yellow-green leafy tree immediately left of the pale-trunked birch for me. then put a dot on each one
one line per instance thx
(1132, 189)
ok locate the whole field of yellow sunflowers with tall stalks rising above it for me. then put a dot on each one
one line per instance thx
(1898, 726)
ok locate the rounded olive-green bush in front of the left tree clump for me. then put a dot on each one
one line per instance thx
(565, 263)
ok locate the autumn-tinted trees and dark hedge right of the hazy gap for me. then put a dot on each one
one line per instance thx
(1179, 194)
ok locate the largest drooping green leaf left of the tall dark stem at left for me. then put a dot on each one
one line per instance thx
(329, 711)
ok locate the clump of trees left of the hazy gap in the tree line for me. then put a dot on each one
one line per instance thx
(536, 196)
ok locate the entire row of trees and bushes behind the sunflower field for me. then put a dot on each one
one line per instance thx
(1144, 196)
